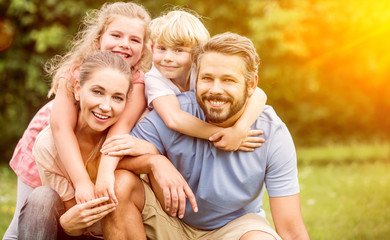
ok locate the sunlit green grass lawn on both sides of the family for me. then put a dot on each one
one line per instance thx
(344, 192)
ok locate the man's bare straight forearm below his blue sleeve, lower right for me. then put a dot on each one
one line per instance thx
(286, 214)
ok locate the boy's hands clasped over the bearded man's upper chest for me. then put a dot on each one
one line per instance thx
(232, 139)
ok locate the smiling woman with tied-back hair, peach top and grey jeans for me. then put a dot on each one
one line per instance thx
(100, 105)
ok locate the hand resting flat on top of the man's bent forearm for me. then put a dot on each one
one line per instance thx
(125, 144)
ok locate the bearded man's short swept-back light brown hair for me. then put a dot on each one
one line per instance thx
(231, 44)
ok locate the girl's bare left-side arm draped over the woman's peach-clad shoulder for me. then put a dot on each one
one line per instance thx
(63, 121)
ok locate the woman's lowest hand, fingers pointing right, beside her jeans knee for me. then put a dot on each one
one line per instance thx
(81, 216)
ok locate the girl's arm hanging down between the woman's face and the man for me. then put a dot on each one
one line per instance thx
(134, 108)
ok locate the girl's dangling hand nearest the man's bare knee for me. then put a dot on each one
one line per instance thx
(105, 186)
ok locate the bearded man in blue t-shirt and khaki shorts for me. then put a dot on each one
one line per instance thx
(224, 189)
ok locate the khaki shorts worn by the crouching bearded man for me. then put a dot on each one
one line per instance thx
(159, 225)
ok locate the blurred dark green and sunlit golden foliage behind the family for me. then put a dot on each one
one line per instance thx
(324, 64)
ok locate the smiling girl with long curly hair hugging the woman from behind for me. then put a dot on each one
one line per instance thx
(118, 27)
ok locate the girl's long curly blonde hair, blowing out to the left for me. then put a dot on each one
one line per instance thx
(87, 40)
